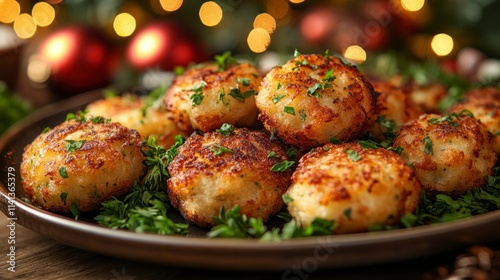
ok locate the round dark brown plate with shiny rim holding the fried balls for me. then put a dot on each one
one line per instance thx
(198, 251)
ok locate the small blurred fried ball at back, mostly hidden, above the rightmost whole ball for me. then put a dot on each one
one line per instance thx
(427, 96)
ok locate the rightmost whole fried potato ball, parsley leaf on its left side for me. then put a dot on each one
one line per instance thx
(451, 153)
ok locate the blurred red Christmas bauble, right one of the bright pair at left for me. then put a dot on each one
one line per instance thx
(164, 44)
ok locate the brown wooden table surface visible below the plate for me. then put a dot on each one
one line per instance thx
(39, 257)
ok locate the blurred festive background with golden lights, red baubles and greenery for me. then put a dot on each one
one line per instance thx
(55, 49)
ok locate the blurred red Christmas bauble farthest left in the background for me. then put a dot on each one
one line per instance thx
(80, 59)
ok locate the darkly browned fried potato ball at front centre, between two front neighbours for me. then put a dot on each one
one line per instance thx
(214, 171)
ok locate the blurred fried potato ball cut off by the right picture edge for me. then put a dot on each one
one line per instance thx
(484, 104)
